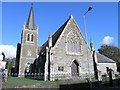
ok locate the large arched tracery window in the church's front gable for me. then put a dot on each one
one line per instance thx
(73, 43)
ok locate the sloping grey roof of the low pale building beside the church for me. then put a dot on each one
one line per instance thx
(103, 59)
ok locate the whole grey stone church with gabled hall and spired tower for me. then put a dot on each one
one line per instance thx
(64, 55)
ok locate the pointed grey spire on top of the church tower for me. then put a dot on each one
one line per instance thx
(30, 21)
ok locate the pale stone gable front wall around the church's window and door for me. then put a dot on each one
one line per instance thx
(60, 57)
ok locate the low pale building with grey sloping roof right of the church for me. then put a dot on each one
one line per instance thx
(104, 64)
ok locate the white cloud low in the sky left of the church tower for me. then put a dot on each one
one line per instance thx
(9, 50)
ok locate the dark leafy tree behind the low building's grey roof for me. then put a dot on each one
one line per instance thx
(111, 52)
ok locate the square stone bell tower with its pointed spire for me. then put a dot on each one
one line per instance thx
(29, 44)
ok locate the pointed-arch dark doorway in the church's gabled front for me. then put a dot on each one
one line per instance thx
(74, 68)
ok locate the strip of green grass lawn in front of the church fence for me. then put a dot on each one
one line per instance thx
(18, 81)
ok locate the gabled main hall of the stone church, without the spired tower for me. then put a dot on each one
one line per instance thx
(65, 53)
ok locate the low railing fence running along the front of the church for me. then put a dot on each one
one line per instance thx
(54, 77)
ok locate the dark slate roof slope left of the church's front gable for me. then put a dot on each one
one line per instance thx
(55, 36)
